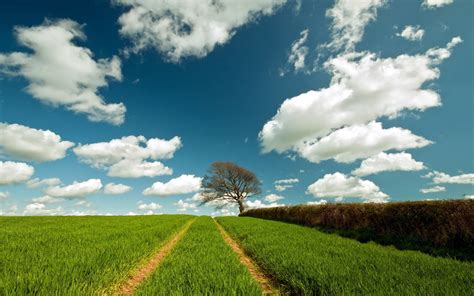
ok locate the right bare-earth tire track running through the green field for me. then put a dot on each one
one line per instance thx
(266, 283)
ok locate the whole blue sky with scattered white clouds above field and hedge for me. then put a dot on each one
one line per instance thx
(119, 107)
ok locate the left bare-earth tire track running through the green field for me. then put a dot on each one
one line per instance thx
(146, 269)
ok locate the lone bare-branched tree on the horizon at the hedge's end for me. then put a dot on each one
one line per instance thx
(226, 182)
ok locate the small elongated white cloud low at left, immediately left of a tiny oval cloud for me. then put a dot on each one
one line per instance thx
(76, 189)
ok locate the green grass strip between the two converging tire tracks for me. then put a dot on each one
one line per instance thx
(201, 264)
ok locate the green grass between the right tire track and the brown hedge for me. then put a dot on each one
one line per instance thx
(308, 262)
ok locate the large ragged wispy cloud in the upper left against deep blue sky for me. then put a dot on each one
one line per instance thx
(73, 77)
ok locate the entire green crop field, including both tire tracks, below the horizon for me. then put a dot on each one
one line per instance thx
(96, 255)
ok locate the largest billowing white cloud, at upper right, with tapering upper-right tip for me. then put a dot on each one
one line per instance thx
(364, 87)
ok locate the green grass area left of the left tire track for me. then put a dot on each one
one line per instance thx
(76, 255)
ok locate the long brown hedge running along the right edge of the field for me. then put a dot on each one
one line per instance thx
(444, 228)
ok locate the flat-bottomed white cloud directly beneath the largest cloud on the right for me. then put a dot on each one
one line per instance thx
(360, 141)
